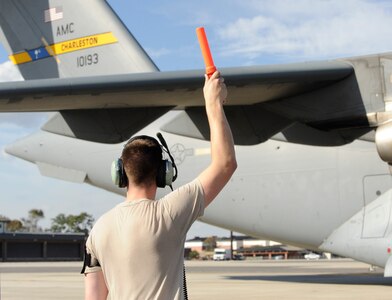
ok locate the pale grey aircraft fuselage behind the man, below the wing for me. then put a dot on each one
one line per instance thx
(285, 192)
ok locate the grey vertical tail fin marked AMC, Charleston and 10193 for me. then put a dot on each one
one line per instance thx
(69, 38)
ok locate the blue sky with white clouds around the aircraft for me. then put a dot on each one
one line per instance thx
(240, 33)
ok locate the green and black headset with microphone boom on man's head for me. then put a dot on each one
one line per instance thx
(167, 171)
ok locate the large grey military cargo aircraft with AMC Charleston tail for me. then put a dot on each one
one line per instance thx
(313, 140)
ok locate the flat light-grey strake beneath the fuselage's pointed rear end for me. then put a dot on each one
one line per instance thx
(62, 173)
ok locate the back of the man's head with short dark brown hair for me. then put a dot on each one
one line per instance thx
(142, 158)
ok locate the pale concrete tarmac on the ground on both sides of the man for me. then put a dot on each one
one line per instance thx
(232, 280)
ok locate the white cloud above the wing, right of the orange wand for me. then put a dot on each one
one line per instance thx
(311, 29)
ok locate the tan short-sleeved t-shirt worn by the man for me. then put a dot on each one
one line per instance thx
(139, 244)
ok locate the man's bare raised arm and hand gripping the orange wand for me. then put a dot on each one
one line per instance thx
(223, 161)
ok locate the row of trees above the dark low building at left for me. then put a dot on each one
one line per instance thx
(62, 223)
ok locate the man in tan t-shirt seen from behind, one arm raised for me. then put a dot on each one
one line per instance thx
(136, 249)
